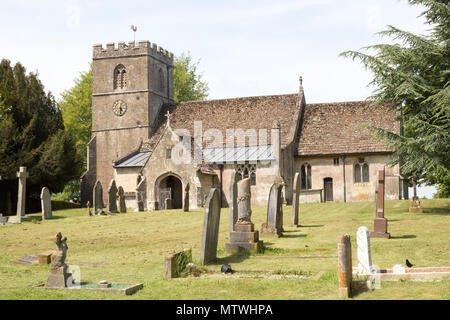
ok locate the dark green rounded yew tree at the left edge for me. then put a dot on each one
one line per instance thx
(32, 134)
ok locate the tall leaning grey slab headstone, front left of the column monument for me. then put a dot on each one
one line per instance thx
(210, 236)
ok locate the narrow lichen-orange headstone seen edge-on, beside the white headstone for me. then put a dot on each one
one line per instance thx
(345, 266)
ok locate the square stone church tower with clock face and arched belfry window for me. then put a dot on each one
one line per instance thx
(130, 84)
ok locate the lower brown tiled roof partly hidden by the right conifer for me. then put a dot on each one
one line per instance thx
(338, 128)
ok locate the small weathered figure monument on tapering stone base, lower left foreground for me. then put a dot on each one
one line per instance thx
(59, 272)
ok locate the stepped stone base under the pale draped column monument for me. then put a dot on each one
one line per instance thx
(244, 237)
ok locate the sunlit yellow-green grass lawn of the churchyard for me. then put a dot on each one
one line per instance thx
(130, 248)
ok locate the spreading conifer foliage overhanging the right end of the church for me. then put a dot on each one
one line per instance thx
(412, 75)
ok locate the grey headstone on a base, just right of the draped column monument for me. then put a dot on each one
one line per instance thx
(274, 224)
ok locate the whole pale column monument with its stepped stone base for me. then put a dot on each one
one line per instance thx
(244, 235)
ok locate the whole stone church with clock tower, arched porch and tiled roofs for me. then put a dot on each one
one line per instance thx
(158, 149)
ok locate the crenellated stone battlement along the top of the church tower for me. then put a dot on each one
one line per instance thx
(132, 49)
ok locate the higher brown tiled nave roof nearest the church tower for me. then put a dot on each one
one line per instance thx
(238, 113)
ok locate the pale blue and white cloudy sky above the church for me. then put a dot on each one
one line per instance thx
(244, 48)
